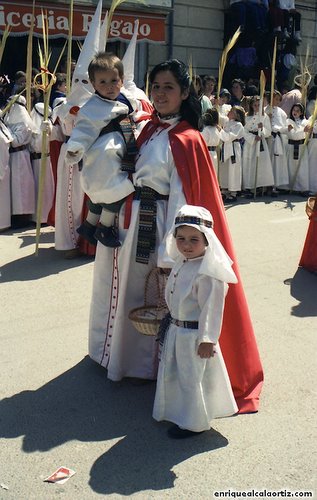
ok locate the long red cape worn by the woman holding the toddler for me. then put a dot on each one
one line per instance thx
(237, 340)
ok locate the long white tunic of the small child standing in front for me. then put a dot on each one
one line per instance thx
(191, 391)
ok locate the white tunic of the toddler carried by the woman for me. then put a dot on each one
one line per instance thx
(102, 178)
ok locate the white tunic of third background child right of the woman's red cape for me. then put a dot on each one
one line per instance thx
(256, 164)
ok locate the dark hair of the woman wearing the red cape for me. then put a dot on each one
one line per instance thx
(190, 109)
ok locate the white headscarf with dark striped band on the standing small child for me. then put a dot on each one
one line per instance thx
(216, 262)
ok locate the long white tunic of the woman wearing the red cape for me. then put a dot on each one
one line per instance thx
(119, 280)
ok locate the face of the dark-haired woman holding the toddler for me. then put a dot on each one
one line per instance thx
(166, 94)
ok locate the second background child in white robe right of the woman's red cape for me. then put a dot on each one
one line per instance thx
(230, 167)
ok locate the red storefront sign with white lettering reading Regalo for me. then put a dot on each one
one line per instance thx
(18, 16)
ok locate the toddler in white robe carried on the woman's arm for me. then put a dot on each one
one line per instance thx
(100, 141)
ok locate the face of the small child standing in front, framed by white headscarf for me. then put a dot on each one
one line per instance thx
(190, 242)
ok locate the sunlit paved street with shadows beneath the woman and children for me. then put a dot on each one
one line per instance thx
(58, 409)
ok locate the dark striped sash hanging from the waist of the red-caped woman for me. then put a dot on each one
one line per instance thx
(147, 222)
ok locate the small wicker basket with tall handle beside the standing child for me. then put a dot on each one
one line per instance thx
(147, 319)
